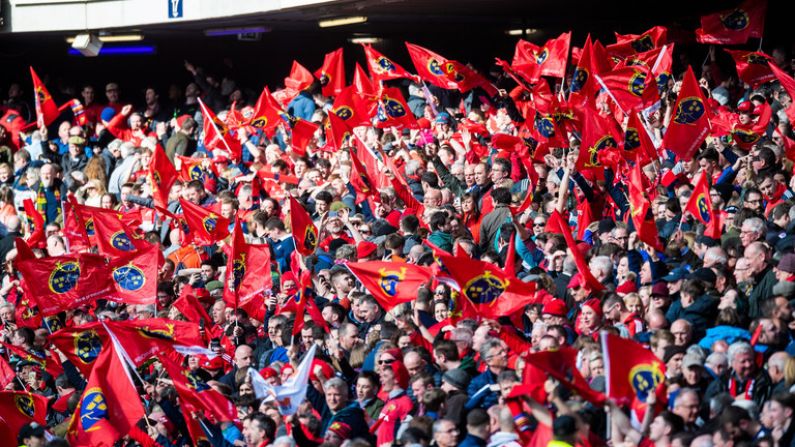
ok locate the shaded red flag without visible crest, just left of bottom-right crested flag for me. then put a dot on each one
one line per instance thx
(562, 366)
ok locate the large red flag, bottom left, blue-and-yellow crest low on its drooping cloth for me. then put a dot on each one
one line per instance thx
(109, 407)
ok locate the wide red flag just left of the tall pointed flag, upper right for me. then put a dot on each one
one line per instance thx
(632, 87)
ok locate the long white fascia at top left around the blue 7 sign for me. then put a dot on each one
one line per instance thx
(68, 15)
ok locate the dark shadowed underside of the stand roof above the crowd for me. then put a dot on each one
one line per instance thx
(466, 30)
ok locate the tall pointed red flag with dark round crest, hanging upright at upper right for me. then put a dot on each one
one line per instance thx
(690, 122)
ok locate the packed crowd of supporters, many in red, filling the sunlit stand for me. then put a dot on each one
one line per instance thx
(713, 304)
